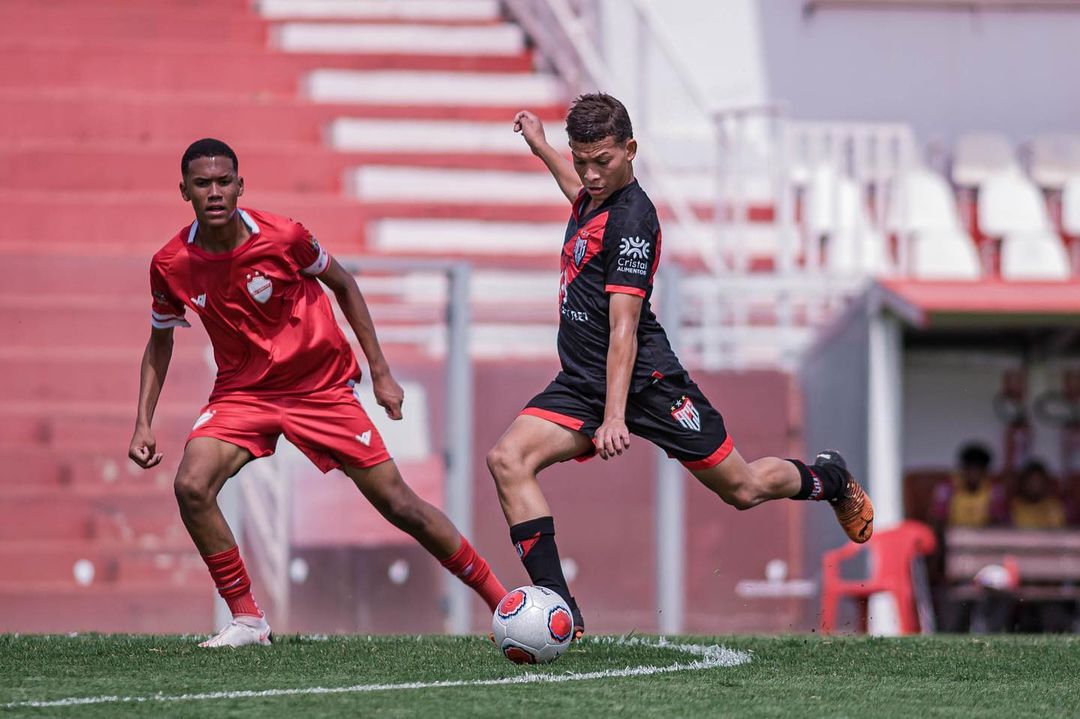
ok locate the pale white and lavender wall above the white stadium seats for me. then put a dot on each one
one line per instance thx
(944, 73)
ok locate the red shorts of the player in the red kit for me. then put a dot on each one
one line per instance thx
(330, 427)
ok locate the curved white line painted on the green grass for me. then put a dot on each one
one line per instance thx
(710, 658)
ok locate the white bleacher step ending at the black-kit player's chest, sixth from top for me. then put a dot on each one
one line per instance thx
(440, 237)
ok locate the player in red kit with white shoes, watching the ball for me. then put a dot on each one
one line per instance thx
(285, 369)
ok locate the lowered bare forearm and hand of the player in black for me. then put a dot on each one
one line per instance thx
(613, 437)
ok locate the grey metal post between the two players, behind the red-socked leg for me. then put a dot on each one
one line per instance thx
(460, 440)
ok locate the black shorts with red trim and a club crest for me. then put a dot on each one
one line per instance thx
(672, 414)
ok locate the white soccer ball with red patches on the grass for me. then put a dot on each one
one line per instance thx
(533, 626)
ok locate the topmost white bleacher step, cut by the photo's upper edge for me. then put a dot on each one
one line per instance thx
(435, 11)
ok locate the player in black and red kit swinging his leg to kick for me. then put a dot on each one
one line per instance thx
(619, 374)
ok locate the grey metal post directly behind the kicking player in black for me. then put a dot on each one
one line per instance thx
(671, 493)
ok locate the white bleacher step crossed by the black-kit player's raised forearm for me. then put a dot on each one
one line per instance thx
(361, 135)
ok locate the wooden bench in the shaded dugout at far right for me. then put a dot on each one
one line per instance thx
(1048, 562)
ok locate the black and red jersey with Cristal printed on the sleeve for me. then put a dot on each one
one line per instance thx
(612, 249)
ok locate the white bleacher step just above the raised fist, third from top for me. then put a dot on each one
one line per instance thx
(426, 89)
